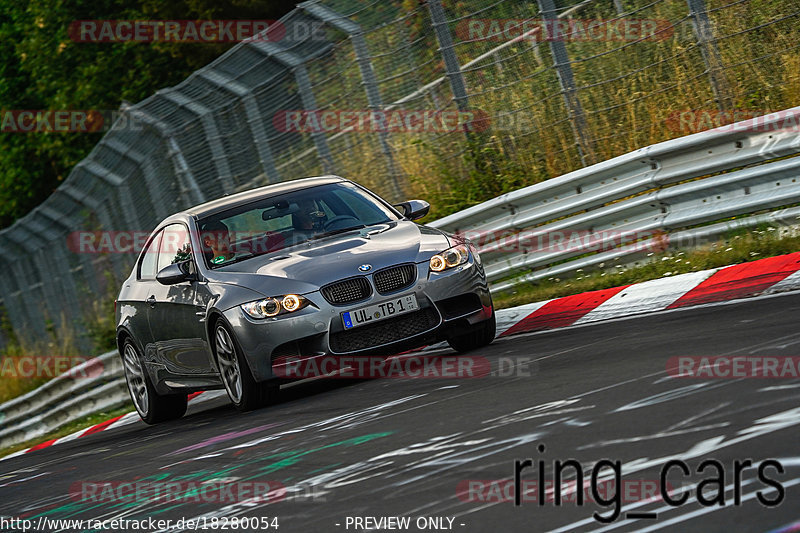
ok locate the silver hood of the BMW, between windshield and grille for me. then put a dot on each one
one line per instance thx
(304, 268)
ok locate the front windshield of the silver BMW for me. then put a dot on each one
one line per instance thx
(277, 222)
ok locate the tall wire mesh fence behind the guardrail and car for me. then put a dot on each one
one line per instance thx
(455, 101)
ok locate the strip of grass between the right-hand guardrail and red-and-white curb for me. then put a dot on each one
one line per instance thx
(737, 247)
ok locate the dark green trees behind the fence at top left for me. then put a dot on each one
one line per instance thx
(42, 68)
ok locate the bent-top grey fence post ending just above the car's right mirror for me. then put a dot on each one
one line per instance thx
(368, 79)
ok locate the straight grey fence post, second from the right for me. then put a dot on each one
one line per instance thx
(558, 49)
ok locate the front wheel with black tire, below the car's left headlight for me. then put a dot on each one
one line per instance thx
(245, 393)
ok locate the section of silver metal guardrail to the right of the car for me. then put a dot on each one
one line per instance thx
(639, 197)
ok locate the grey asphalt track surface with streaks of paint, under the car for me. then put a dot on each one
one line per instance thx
(410, 447)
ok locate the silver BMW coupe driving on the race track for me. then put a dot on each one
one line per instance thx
(224, 293)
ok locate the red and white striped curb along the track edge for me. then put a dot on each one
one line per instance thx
(764, 276)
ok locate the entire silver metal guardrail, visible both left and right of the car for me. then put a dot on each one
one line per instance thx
(683, 188)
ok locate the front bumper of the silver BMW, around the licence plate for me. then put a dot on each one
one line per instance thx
(449, 301)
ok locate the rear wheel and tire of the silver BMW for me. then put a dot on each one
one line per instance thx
(152, 407)
